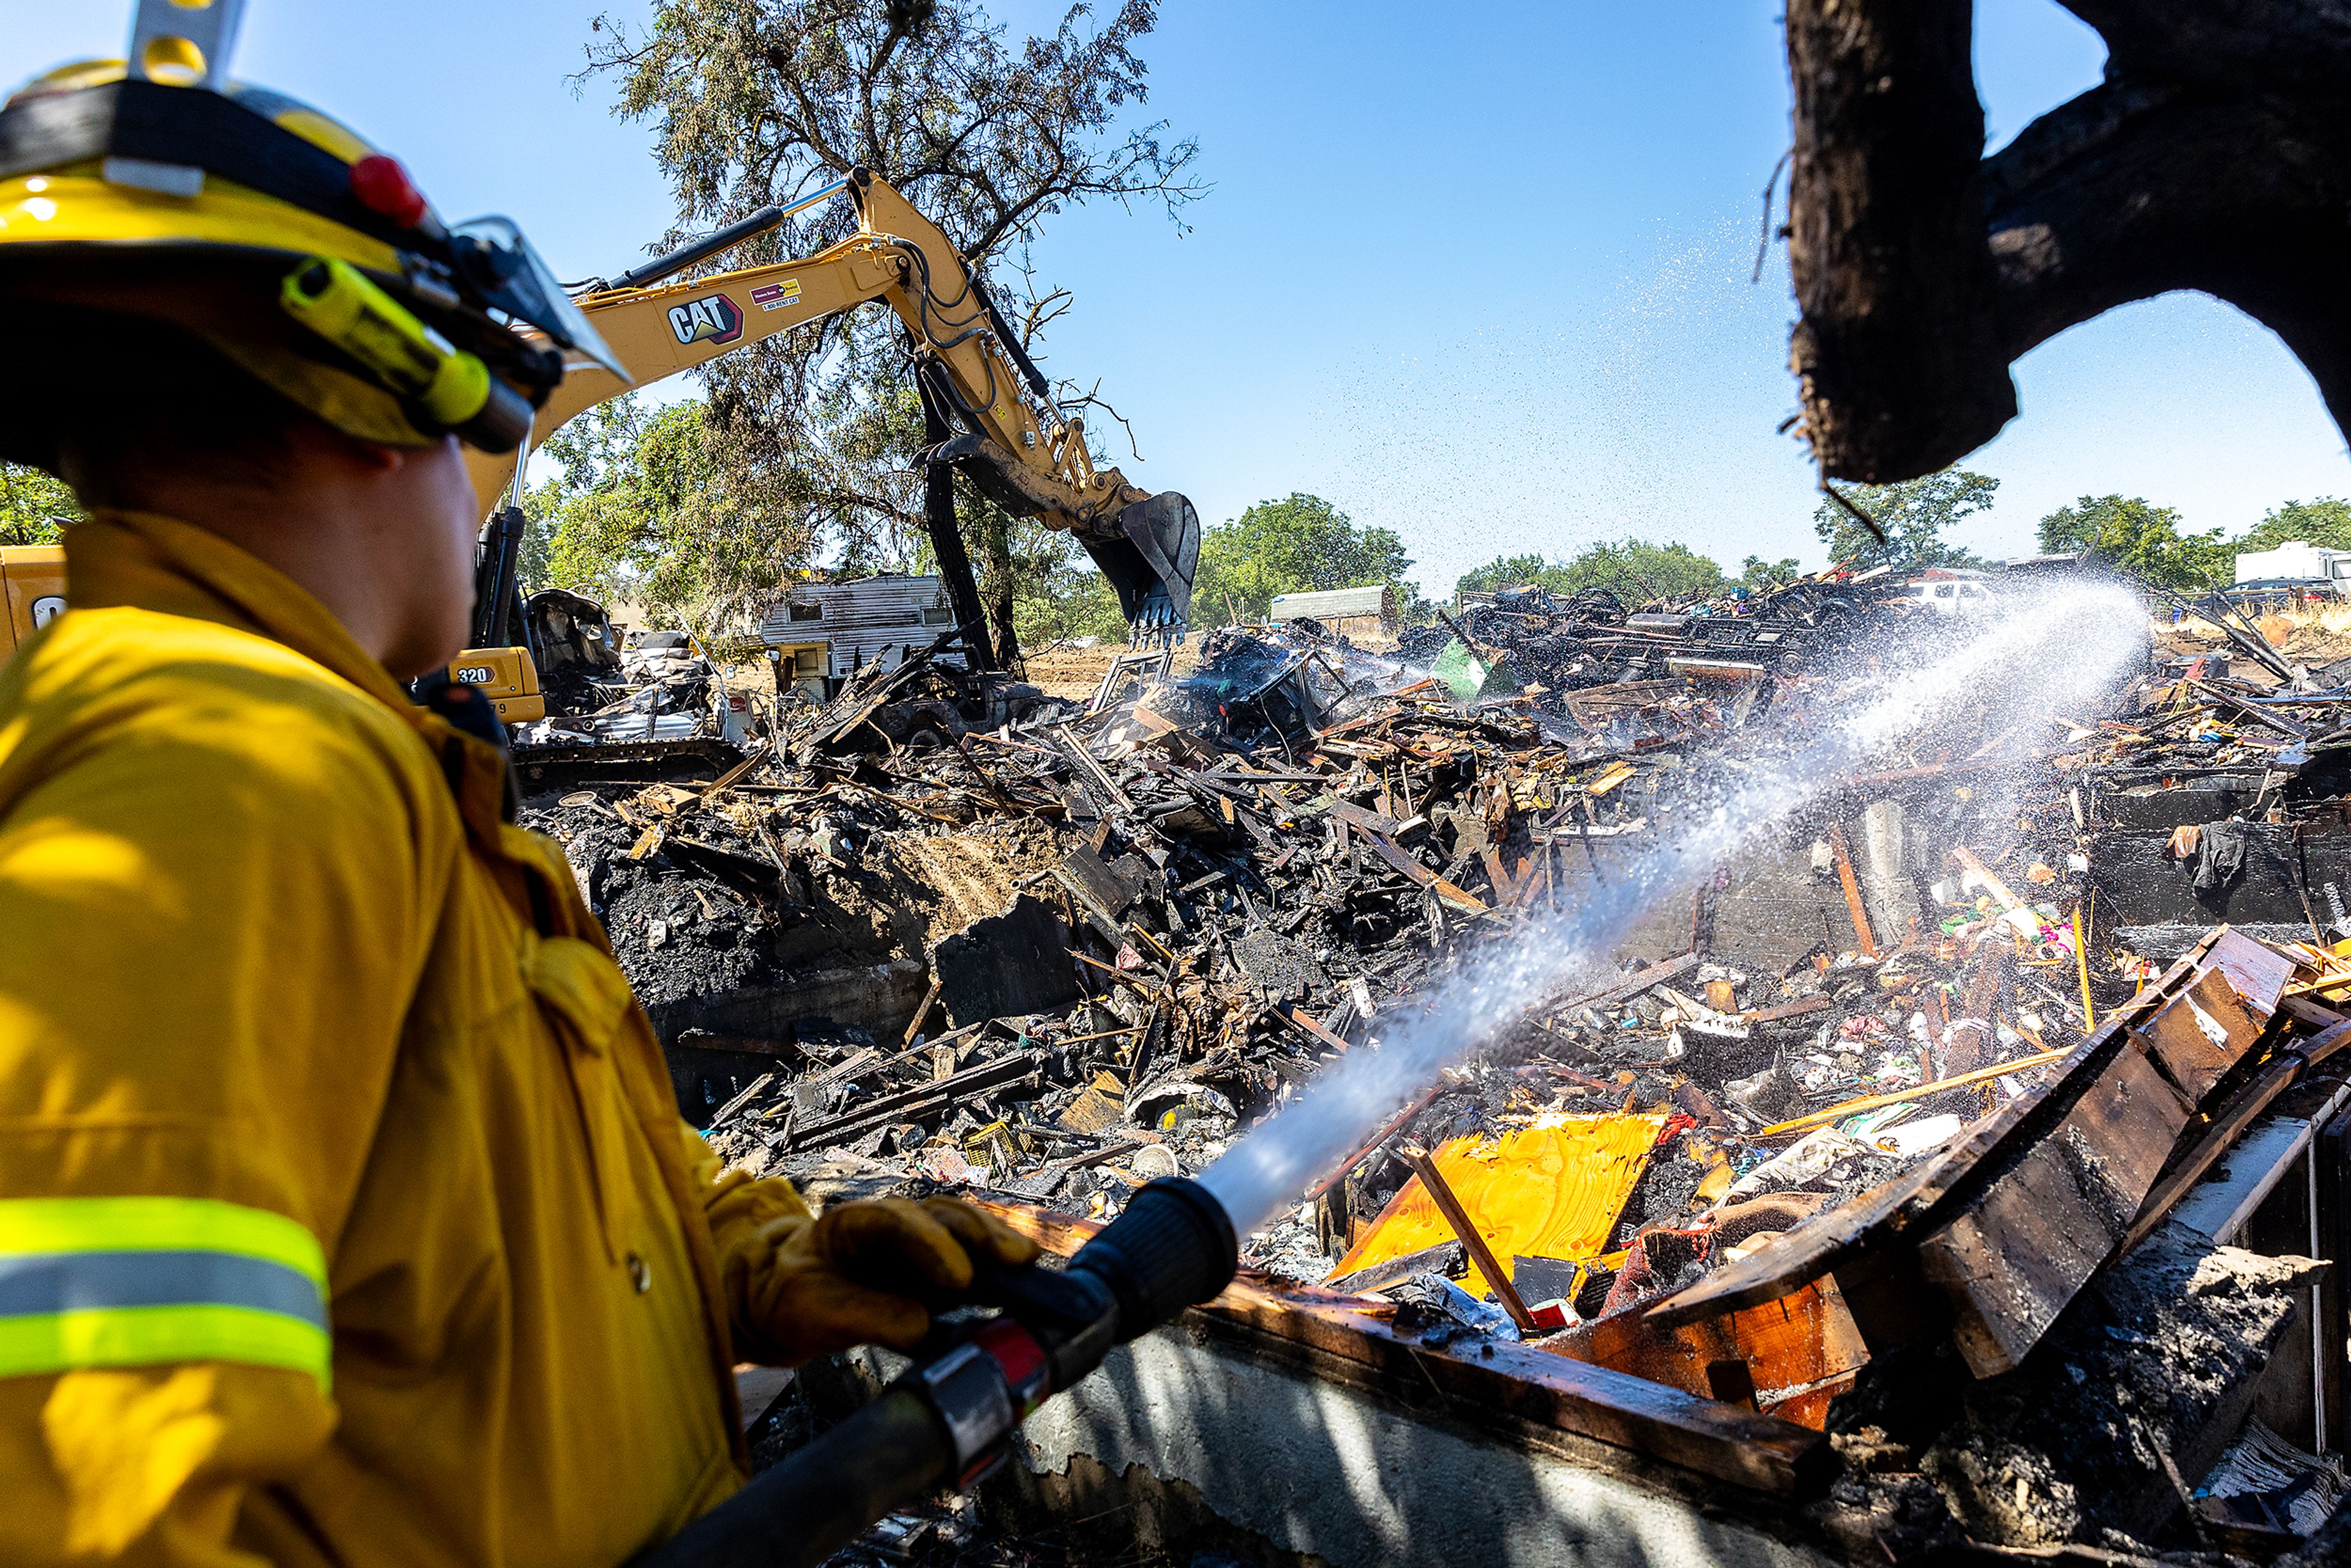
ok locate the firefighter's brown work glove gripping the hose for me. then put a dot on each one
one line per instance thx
(871, 1273)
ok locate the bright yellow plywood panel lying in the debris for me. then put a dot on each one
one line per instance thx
(1550, 1191)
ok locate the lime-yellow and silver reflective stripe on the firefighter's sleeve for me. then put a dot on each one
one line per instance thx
(145, 1280)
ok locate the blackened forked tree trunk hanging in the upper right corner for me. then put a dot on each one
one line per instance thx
(2216, 156)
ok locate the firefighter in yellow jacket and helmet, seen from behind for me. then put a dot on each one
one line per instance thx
(347, 1214)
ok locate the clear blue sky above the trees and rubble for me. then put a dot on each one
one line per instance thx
(1475, 274)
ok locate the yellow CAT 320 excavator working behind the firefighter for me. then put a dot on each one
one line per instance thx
(989, 413)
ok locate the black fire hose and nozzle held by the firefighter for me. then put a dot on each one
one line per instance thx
(951, 1419)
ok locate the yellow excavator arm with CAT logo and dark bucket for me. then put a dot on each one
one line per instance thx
(1007, 436)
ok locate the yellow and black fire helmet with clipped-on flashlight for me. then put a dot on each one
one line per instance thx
(161, 189)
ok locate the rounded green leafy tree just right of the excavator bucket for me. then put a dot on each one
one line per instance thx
(1297, 544)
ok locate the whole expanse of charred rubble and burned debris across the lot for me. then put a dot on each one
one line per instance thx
(1071, 951)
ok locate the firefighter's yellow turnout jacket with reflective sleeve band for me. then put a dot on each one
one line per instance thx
(344, 1207)
